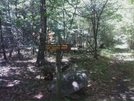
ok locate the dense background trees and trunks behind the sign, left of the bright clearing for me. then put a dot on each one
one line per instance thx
(78, 23)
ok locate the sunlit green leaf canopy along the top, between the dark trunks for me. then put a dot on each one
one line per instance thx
(76, 17)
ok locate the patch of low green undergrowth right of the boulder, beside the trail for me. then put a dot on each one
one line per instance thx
(97, 70)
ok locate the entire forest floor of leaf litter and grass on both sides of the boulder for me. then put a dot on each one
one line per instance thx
(108, 78)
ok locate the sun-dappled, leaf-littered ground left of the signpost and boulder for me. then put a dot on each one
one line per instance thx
(21, 80)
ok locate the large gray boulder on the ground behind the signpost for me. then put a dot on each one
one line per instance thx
(71, 82)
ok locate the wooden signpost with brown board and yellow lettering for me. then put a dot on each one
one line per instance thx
(58, 48)
